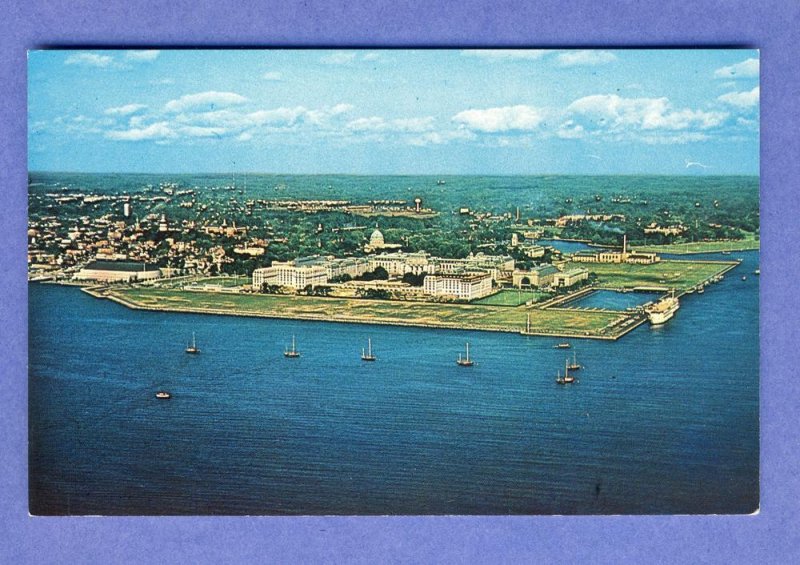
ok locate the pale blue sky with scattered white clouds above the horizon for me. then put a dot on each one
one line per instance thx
(475, 111)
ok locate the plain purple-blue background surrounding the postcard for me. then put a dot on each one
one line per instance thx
(769, 537)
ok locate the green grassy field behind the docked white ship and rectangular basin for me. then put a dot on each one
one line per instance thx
(672, 274)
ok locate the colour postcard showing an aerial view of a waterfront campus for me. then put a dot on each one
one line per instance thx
(393, 282)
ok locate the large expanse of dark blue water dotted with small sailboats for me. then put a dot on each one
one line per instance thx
(662, 421)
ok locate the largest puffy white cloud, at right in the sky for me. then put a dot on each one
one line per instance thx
(613, 113)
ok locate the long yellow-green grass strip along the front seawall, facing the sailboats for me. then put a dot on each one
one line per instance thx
(466, 316)
